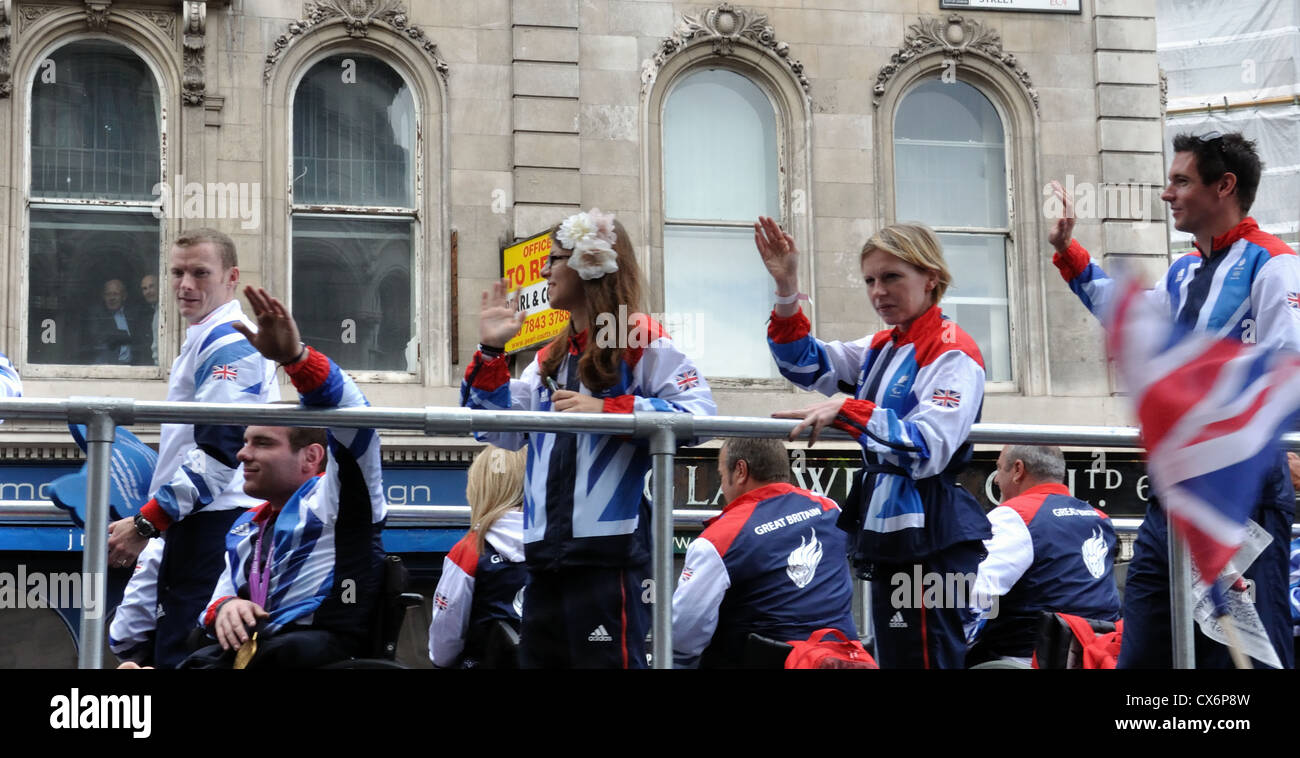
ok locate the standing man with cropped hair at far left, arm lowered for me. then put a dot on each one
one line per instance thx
(198, 486)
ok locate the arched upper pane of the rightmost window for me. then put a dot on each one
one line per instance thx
(950, 144)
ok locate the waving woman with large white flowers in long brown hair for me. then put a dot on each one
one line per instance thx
(587, 539)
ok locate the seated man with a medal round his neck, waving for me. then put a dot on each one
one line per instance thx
(304, 570)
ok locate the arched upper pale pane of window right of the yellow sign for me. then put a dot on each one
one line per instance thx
(720, 150)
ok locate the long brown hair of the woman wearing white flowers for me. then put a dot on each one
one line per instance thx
(599, 367)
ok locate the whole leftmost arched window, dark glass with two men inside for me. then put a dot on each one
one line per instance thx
(96, 166)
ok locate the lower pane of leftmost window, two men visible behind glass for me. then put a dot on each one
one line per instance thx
(85, 304)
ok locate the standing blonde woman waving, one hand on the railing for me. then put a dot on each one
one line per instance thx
(915, 392)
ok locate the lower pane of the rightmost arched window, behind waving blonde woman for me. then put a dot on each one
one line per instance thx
(978, 298)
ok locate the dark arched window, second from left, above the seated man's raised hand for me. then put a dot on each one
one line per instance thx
(354, 213)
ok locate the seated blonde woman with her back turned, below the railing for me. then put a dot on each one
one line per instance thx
(484, 575)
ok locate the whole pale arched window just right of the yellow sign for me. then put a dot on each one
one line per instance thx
(721, 172)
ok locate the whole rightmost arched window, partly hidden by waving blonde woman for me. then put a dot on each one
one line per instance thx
(951, 174)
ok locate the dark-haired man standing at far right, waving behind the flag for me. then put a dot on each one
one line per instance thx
(1241, 284)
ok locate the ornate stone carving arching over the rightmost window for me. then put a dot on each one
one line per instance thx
(955, 37)
